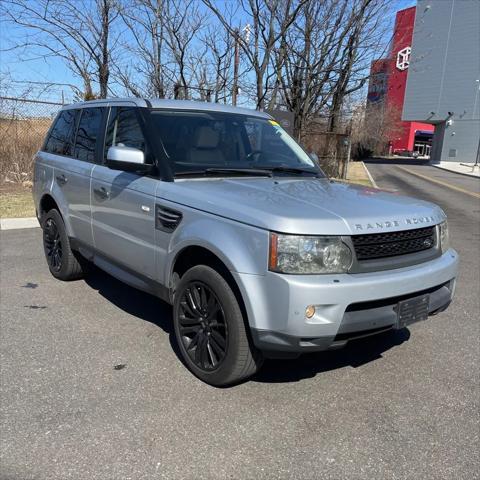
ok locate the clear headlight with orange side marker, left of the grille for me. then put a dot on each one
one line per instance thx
(305, 254)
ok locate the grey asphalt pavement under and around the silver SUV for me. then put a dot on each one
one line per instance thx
(92, 388)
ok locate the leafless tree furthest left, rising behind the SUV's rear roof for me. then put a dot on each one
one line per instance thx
(78, 32)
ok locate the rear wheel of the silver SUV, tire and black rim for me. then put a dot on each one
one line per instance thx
(61, 260)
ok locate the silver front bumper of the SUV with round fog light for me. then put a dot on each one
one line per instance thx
(346, 306)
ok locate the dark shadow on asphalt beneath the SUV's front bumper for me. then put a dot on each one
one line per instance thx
(355, 354)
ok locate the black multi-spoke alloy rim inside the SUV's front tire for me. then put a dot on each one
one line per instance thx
(202, 326)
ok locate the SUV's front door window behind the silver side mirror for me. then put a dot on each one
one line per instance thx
(124, 130)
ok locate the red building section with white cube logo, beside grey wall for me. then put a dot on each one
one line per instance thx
(388, 82)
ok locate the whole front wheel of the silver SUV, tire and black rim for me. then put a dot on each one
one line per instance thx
(210, 329)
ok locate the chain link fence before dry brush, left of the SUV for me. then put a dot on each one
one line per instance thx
(23, 125)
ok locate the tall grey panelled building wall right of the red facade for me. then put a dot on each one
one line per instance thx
(444, 74)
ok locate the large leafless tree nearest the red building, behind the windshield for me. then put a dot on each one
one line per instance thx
(325, 57)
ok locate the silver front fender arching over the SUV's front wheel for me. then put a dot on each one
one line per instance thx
(242, 248)
